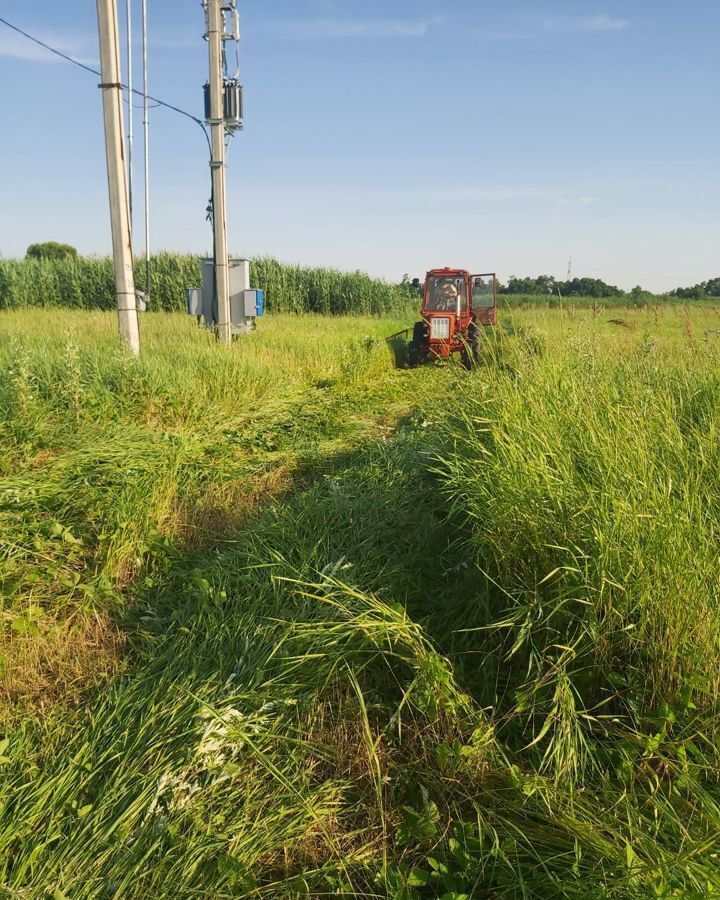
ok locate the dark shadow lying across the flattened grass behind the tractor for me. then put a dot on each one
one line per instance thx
(374, 513)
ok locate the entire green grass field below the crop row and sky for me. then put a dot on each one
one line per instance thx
(289, 620)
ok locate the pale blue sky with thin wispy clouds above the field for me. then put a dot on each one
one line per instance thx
(394, 137)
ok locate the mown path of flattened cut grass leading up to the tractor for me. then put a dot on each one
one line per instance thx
(144, 784)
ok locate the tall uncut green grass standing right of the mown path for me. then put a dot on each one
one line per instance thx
(590, 488)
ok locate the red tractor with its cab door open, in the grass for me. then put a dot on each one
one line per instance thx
(456, 307)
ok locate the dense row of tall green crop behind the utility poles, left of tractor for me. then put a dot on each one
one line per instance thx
(87, 283)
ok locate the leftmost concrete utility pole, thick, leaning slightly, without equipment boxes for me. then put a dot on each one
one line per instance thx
(117, 175)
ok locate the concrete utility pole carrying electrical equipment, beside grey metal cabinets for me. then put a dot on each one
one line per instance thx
(217, 167)
